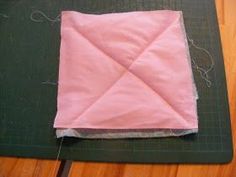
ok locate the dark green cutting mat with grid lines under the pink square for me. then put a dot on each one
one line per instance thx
(29, 56)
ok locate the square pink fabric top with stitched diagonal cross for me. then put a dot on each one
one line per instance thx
(125, 71)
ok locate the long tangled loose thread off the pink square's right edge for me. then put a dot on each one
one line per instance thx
(204, 73)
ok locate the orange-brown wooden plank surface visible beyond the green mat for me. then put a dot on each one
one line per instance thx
(21, 167)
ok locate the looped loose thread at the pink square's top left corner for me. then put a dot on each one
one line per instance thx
(37, 16)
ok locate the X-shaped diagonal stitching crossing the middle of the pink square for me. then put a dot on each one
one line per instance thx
(127, 69)
